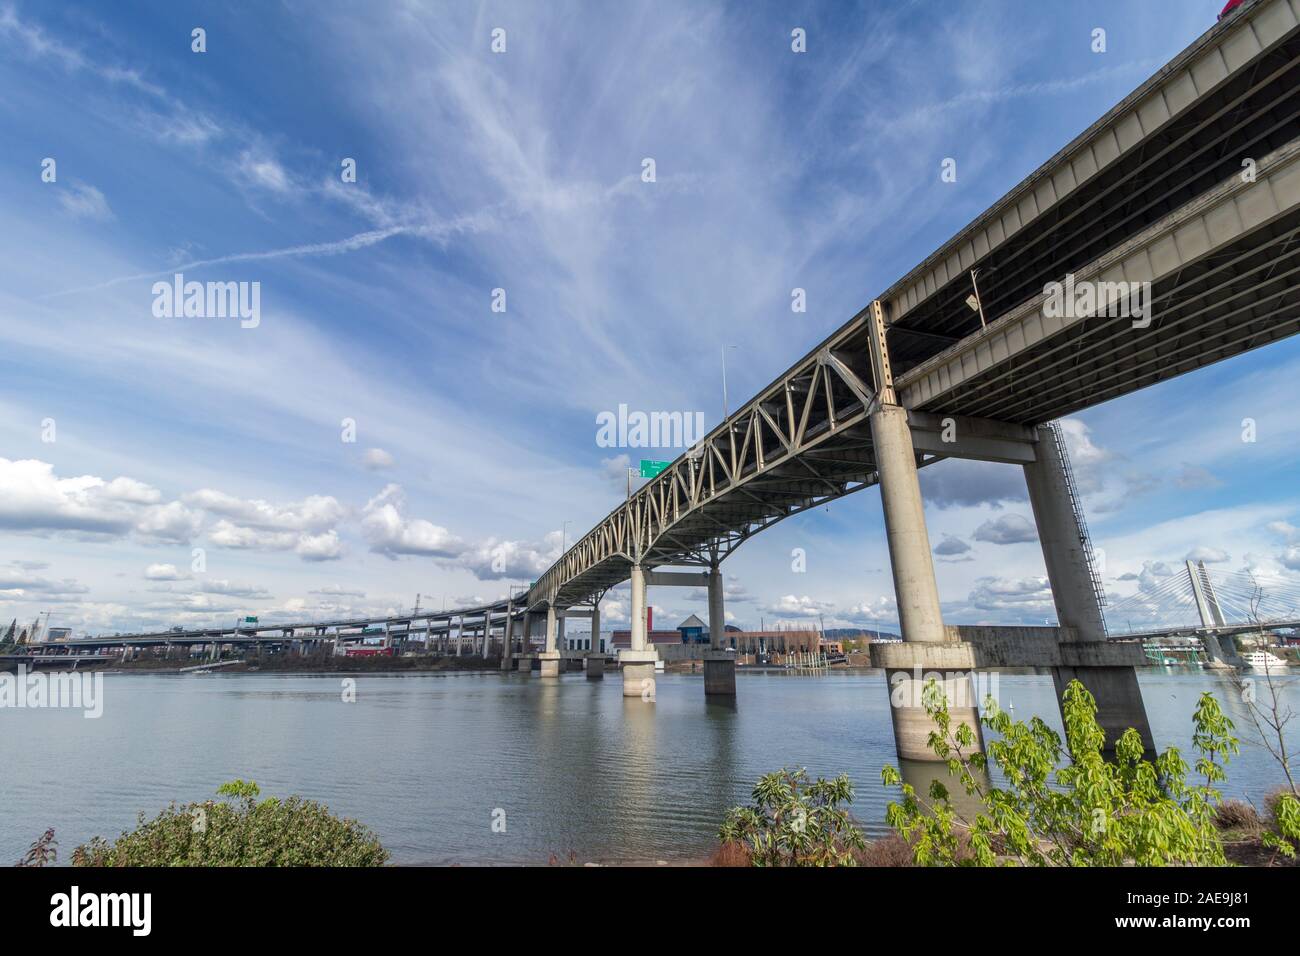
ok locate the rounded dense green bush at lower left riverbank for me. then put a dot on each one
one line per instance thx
(240, 833)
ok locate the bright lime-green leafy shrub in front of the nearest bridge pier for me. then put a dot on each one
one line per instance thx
(1065, 804)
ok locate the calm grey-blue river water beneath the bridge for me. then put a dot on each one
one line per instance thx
(428, 762)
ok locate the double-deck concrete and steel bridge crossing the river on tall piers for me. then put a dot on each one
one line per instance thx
(1176, 215)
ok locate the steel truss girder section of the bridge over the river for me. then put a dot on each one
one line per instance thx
(799, 444)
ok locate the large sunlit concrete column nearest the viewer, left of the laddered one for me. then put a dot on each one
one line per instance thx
(917, 592)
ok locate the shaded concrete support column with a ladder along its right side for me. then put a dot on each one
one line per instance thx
(1065, 555)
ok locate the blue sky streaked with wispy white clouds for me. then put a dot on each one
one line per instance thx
(523, 171)
